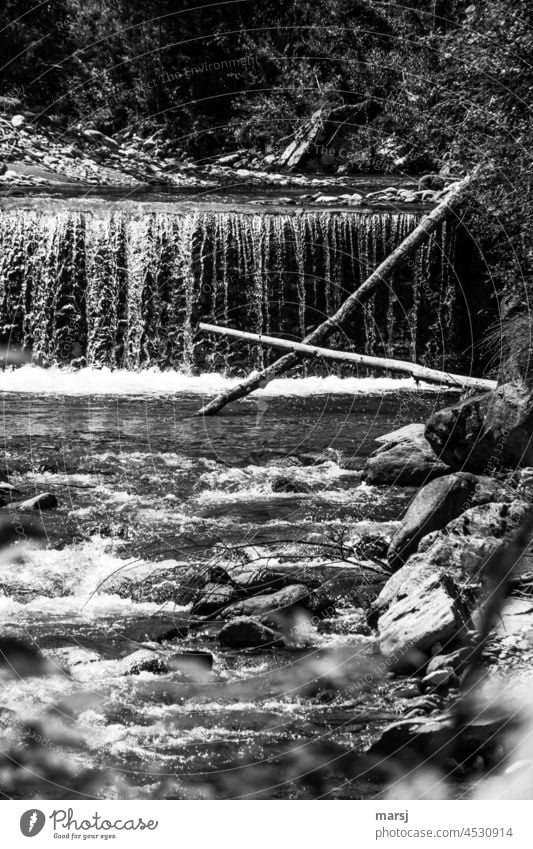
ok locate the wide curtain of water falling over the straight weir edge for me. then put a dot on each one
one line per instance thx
(123, 286)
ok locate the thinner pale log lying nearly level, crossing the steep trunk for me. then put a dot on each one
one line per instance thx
(428, 375)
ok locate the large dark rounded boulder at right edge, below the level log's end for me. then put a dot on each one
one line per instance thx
(485, 432)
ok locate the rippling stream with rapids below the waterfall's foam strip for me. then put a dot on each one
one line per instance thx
(146, 488)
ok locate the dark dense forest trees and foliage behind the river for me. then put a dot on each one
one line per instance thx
(449, 81)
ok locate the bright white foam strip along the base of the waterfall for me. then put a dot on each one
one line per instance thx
(104, 381)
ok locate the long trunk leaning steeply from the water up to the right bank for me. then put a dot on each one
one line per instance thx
(381, 274)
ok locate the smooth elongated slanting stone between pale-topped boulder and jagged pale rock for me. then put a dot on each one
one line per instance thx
(436, 504)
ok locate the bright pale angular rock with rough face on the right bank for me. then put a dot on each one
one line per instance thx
(417, 619)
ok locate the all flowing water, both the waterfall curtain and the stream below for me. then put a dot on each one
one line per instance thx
(151, 497)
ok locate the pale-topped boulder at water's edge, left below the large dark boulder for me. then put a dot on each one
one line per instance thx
(406, 459)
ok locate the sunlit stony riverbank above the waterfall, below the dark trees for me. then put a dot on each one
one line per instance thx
(37, 153)
